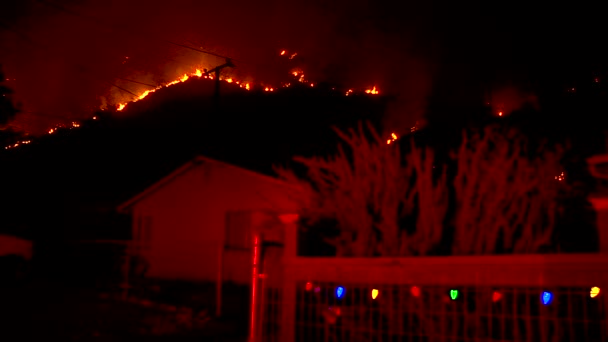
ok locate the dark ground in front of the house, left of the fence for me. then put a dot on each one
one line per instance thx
(44, 310)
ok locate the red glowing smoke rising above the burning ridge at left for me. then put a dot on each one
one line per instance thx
(66, 56)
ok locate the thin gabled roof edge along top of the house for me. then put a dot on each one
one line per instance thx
(197, 161)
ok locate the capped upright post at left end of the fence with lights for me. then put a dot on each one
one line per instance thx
(289, 287)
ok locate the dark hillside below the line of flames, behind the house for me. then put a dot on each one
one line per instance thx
(67, 184)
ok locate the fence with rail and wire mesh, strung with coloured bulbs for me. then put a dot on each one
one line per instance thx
(456, 298)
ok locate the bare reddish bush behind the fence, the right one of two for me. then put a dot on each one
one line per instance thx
(505, 200)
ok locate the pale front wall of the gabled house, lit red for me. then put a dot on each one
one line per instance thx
(188, 219)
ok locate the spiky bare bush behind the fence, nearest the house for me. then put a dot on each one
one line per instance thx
(369, 190)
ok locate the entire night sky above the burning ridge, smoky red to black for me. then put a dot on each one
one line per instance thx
(62, 56)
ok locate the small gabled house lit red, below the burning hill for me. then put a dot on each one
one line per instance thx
(196, 223)
